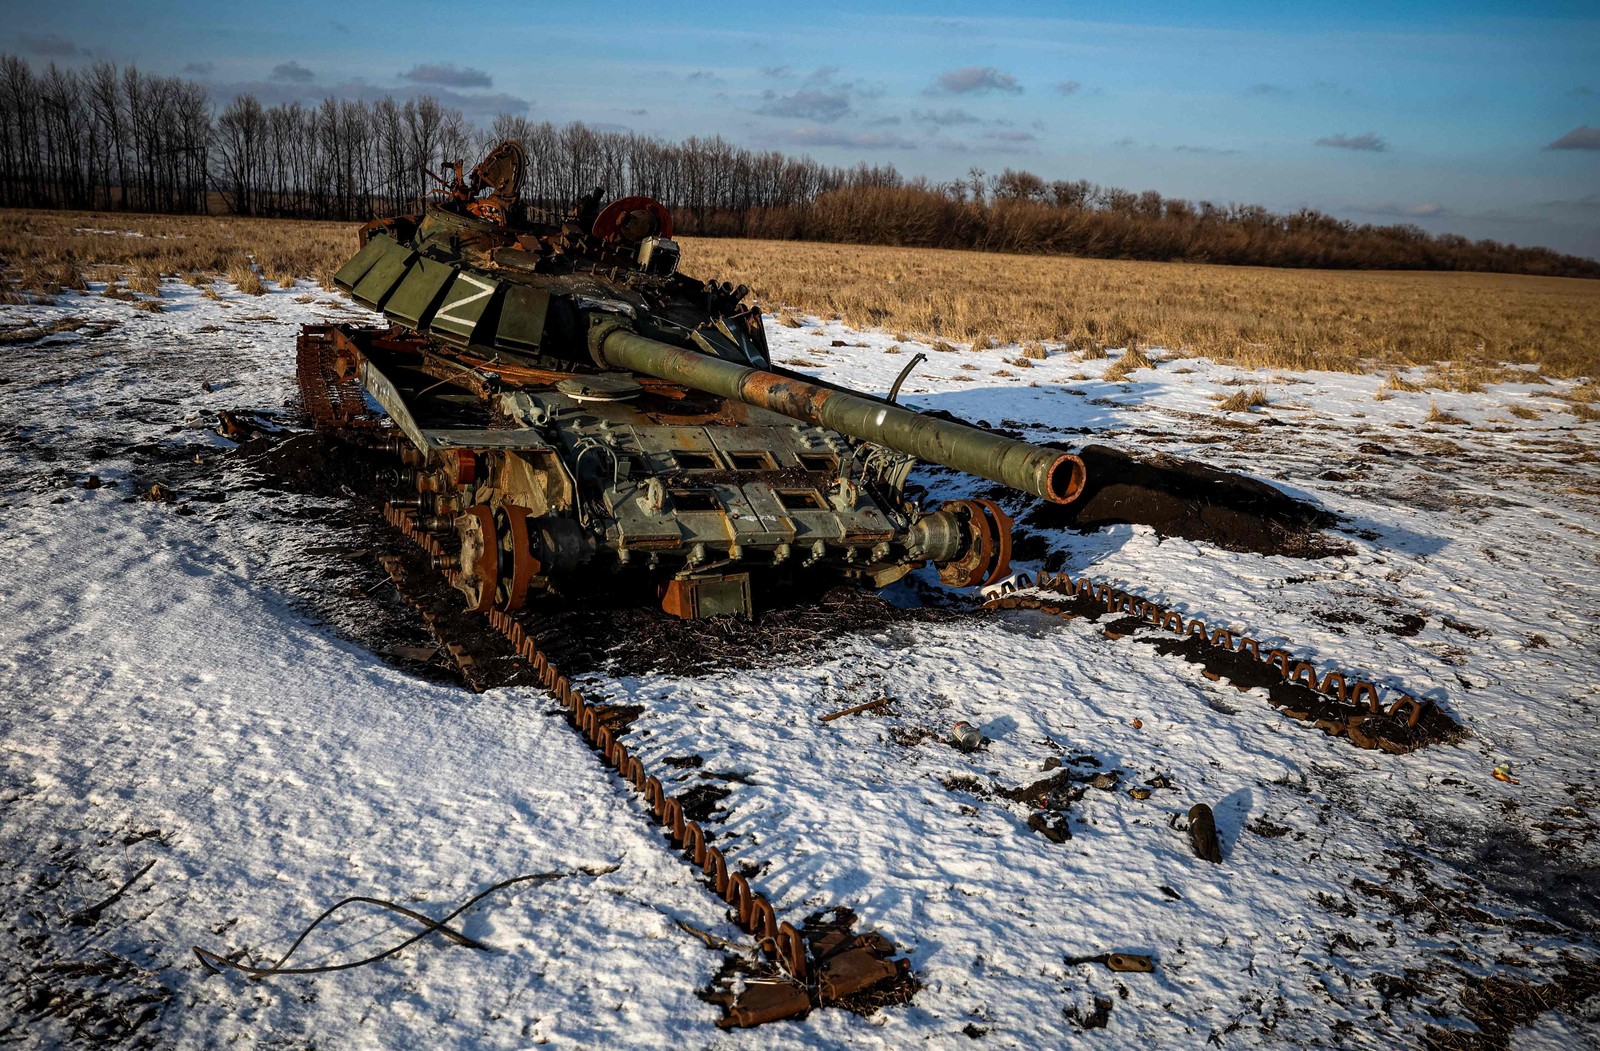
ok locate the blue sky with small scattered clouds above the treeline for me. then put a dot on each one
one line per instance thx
(1441, 114)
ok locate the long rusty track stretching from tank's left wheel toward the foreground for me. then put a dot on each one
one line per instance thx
(839, 972)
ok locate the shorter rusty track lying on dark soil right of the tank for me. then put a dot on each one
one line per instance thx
(1338, 705)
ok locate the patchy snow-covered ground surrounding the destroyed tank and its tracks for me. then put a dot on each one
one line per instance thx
(170, 695)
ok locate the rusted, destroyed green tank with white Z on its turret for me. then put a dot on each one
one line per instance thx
(572, 415)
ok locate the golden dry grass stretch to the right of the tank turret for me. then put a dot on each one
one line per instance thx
(1348, 321)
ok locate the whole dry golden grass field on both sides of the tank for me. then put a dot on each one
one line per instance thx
(1462, 326)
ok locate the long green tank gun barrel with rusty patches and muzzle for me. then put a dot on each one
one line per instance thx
(1049, 474)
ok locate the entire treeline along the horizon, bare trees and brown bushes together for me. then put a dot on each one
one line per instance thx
(106, 138)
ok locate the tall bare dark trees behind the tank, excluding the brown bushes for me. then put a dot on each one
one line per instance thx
(106, 140)
